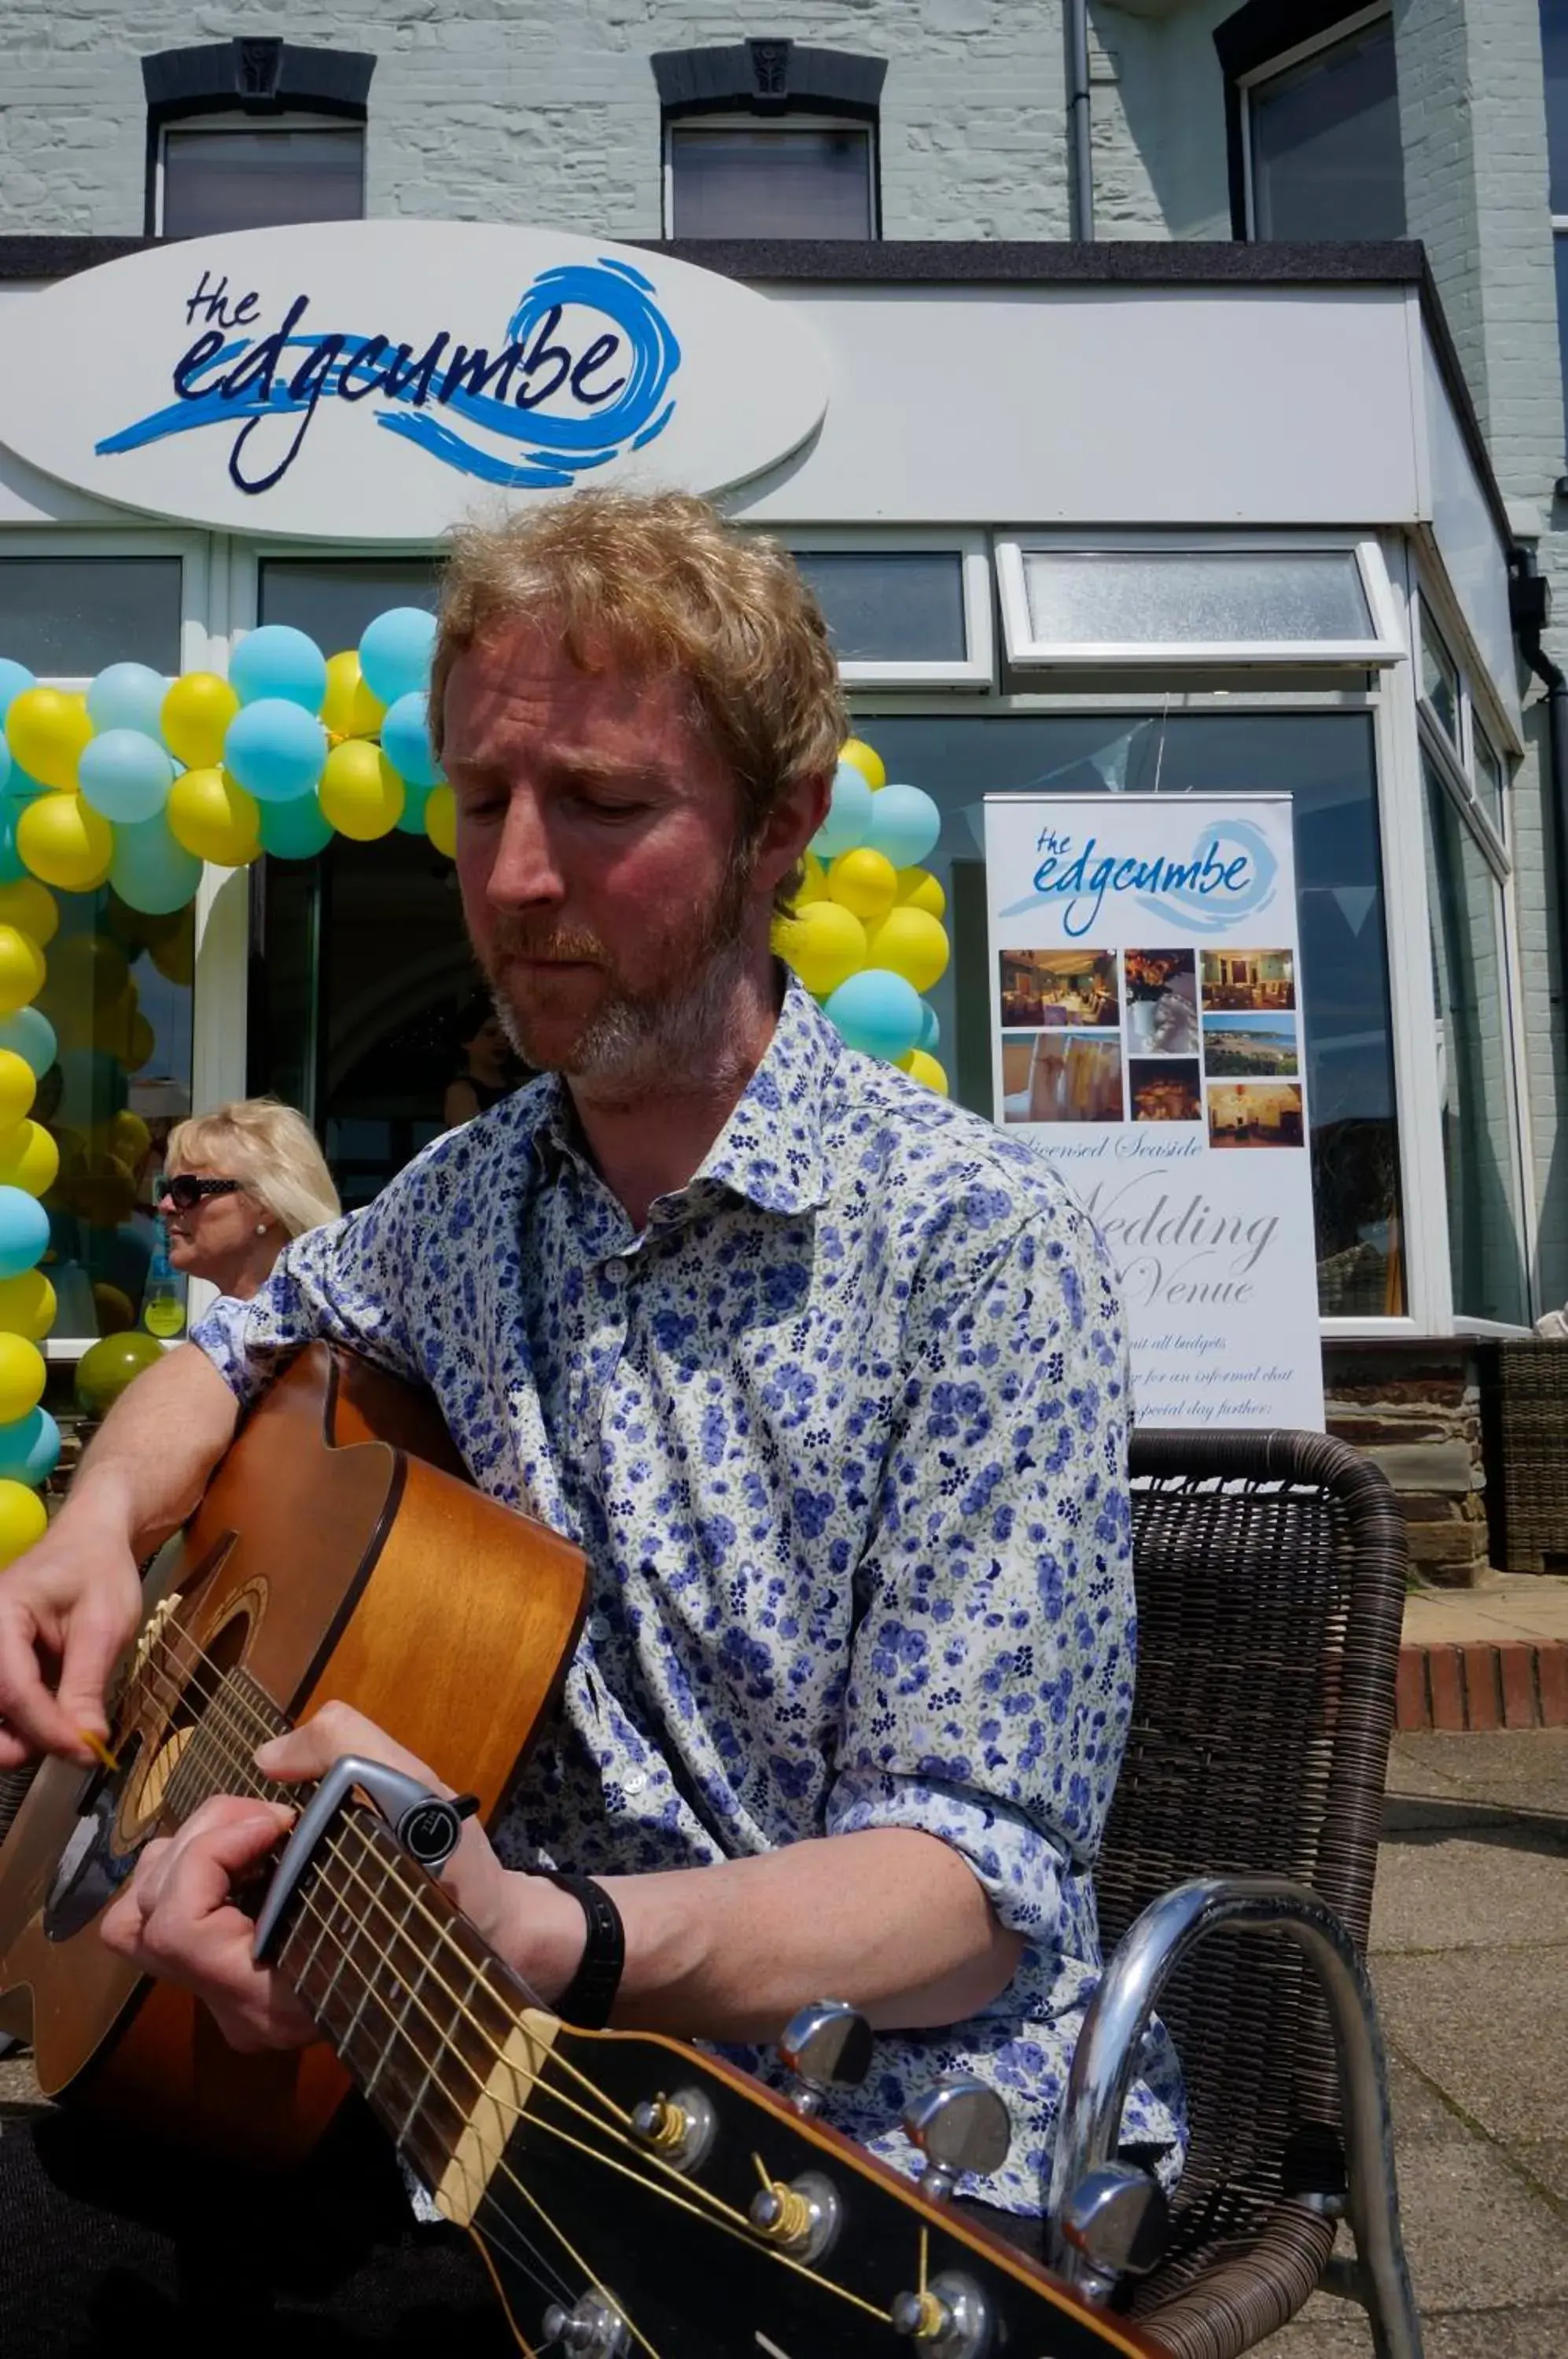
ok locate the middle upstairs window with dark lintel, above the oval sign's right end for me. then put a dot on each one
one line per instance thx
(770, 140)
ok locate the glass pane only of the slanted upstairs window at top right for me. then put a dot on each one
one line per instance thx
(1326, 155)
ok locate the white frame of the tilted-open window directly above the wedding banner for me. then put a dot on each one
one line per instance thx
(1378, 652)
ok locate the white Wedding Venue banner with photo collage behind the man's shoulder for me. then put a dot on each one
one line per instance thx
(1147, 1041)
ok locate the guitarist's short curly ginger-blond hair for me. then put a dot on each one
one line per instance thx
(661, 584)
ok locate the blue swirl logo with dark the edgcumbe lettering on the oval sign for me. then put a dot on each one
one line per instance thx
(584, 376)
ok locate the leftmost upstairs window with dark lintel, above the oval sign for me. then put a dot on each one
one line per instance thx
(253, 136)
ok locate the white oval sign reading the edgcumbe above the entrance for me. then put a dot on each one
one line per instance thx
(374, 381)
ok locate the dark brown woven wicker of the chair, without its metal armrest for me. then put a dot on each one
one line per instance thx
(1272, 1584)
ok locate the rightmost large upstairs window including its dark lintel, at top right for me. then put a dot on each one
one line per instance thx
(1315, 129)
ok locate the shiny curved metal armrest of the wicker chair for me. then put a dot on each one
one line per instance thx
(1114, 2028)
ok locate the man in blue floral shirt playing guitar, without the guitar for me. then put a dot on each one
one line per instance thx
(824, 1374)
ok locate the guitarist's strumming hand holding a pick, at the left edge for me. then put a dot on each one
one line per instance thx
(67, 1612)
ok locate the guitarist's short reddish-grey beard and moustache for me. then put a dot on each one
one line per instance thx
(664, 1037)
